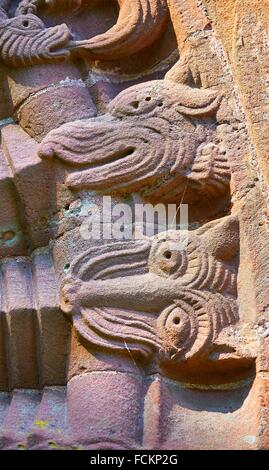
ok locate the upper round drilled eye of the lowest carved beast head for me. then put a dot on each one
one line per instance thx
(167, 259)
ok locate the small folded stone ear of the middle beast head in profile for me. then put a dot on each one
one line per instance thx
(196, 102)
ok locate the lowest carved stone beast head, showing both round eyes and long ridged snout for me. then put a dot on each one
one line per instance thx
(174, 295)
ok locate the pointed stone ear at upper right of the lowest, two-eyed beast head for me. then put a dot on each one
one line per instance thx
(221, 239)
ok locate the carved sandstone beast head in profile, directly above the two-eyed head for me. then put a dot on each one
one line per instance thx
(157, 137)
